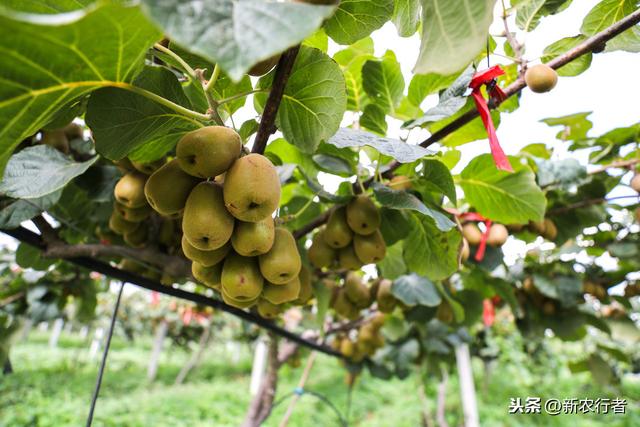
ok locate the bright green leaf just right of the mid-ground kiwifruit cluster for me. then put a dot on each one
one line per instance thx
(429, 251)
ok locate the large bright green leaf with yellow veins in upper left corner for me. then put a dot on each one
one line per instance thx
(51, 60)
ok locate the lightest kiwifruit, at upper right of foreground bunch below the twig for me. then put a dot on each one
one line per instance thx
(252, 188)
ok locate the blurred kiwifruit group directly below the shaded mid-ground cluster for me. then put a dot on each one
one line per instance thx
(355, 295)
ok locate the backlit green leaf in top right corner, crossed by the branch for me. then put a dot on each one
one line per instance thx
(608, 12)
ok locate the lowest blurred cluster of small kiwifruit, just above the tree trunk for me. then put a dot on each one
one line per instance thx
(363, 344)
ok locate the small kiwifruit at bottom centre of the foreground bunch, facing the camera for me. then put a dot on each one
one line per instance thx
(241, 278)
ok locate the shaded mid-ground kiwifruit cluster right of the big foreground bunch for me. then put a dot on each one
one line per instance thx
(351, 237)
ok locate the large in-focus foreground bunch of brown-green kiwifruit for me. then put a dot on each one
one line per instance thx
(226, 201)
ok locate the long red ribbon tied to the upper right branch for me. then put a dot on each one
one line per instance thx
(488, 78)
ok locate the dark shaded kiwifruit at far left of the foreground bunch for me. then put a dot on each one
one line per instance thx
(168, 188)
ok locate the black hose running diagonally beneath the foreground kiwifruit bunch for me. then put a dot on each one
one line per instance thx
(34, 239)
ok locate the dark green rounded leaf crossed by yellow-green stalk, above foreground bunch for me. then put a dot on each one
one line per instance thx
(123, 122)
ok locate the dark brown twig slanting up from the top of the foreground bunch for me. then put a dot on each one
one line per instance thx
(267, 127)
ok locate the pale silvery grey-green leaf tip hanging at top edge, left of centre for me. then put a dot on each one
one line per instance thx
(236, 34)
